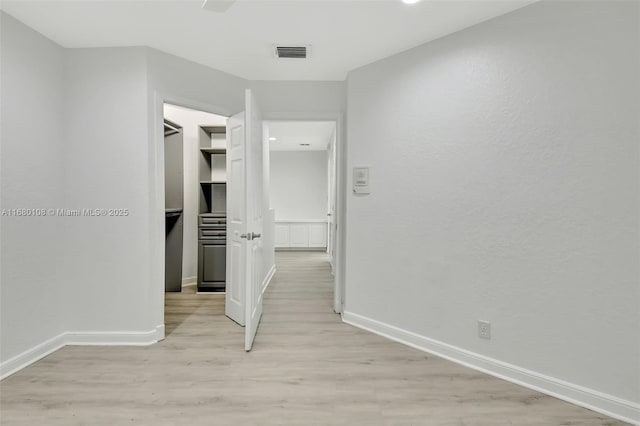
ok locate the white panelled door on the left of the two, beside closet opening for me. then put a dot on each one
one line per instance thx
(236, 219)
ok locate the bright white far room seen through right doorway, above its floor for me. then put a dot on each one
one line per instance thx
(303, 187)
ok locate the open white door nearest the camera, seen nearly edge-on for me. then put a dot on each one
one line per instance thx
(254, 252)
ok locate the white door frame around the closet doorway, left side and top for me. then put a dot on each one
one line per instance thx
(156, 203)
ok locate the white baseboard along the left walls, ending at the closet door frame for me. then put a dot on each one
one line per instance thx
(89, 338)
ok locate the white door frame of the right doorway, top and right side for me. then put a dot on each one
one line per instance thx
(341, 179)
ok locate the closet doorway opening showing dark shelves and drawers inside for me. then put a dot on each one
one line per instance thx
(195, 211)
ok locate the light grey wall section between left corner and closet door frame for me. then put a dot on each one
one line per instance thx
(107, 167)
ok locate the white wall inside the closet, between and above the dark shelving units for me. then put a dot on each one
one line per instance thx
(191, 120)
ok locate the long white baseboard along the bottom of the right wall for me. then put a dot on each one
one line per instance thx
(600, 402)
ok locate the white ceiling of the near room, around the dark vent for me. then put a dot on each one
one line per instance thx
(343, 34)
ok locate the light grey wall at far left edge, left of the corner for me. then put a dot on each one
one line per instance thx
(33, 146)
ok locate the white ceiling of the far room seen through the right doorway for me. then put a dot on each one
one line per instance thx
(290, 134)
